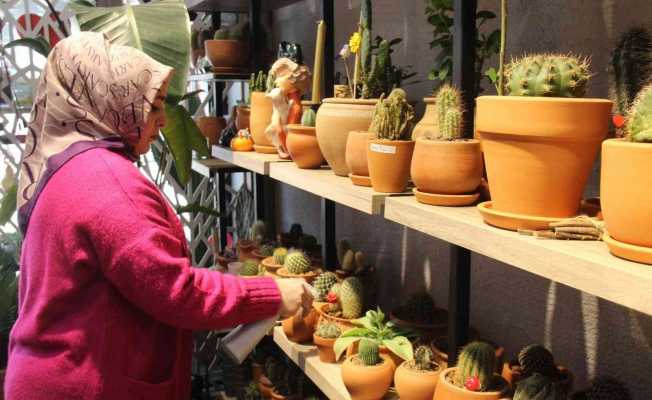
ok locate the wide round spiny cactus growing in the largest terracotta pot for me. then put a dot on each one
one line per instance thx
(548, 75)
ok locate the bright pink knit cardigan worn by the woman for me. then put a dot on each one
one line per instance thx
(108, 298)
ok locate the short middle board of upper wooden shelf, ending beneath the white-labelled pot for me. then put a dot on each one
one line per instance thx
(324, 183)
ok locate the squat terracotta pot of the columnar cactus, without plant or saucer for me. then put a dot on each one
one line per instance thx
(446, 167)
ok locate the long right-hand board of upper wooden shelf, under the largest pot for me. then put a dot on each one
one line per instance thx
(586, 266)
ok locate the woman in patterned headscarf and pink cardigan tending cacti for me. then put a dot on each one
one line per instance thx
(107, 297)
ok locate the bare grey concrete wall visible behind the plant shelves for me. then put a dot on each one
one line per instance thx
(509, 306)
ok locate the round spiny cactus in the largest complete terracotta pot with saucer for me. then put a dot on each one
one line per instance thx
(541, 137)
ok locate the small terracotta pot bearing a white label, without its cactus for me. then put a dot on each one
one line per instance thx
(389, 164)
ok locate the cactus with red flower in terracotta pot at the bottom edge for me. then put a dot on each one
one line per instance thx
(474, 377)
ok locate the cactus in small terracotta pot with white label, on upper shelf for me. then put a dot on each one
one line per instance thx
(390, 152)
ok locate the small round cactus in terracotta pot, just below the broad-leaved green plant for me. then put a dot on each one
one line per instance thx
(367, 375)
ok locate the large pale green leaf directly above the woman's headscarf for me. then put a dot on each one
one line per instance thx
(161, 29)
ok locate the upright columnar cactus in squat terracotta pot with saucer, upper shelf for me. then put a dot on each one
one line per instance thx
(446, 168)
